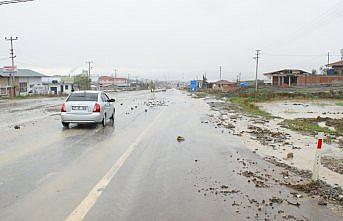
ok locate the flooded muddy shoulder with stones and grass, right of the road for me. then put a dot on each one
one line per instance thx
(270, 137)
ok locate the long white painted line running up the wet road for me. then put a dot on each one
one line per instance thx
(87, 203)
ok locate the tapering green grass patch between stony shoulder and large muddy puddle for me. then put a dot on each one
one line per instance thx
(247, 105)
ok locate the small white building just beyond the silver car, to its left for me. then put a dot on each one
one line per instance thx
(58, 85)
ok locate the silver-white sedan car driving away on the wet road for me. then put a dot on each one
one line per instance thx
(87, 107)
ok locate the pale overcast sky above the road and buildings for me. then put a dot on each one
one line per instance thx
(172, 39)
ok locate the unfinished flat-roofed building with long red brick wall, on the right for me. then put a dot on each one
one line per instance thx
(295, 77)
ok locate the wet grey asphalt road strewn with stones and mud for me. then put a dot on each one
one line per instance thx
(136, 170)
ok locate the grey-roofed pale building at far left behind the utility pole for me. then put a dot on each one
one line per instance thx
(24, 81)
